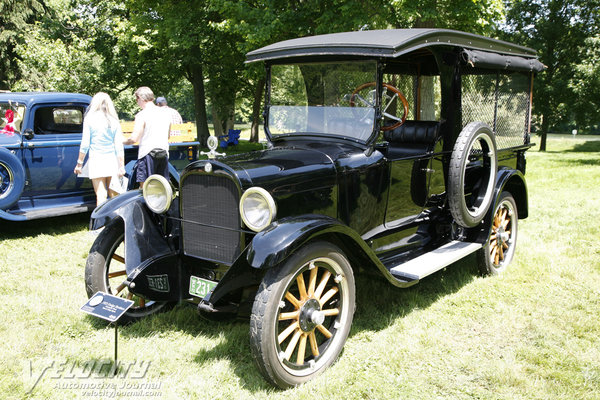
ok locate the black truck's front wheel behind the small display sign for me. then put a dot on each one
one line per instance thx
(106, 257)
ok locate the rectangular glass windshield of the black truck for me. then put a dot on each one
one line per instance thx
(322, 99)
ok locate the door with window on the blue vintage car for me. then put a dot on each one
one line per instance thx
(50, 155)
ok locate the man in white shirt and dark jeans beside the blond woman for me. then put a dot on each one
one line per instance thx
(151, 130)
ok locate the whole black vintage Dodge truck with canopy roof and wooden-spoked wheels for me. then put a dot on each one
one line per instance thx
(396, 151)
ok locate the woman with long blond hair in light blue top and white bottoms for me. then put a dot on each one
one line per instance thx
(103, 139)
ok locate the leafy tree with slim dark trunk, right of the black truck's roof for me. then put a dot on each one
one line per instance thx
(557, 29)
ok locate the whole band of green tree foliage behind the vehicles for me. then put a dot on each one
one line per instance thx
(115, 46)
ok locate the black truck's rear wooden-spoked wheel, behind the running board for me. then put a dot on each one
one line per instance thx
(497, 253)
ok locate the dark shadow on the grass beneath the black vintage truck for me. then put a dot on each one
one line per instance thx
(379, 304)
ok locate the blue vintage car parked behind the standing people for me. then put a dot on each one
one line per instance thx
(40, 135)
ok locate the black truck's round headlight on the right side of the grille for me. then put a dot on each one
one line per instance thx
(257, 208)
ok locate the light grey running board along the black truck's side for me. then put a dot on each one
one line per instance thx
(419, 267)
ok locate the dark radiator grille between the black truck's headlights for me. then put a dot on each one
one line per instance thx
(211, 219)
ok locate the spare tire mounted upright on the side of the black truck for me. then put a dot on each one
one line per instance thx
(472, 174)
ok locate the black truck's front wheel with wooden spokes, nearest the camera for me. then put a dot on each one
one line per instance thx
(302, 318)
